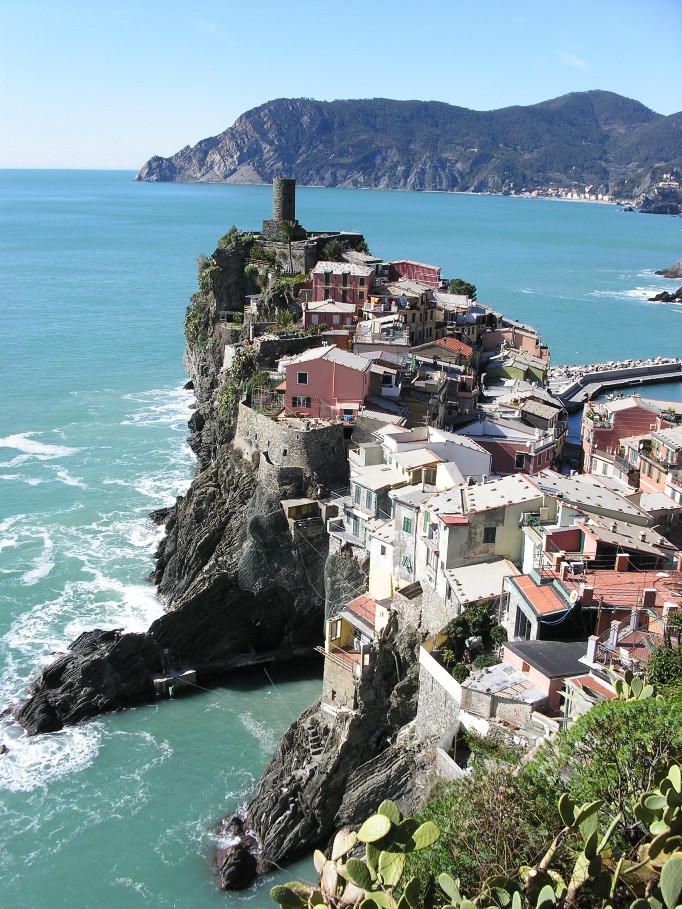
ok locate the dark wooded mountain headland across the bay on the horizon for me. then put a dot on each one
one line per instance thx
(583, 138)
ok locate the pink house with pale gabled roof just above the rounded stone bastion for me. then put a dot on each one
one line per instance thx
(325, 382)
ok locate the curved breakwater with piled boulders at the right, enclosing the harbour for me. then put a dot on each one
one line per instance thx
(576, 384)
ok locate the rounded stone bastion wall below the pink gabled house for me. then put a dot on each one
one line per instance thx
(319, 452)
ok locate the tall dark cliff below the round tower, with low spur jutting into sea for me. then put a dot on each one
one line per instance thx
(231, 575)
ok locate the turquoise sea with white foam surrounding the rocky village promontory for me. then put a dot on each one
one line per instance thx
(95, 273)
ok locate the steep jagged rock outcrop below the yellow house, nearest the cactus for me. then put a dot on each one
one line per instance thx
(331, 765)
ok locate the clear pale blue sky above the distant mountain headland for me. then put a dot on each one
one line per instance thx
(103, 84)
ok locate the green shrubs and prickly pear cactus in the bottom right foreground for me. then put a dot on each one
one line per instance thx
(594, 818)
